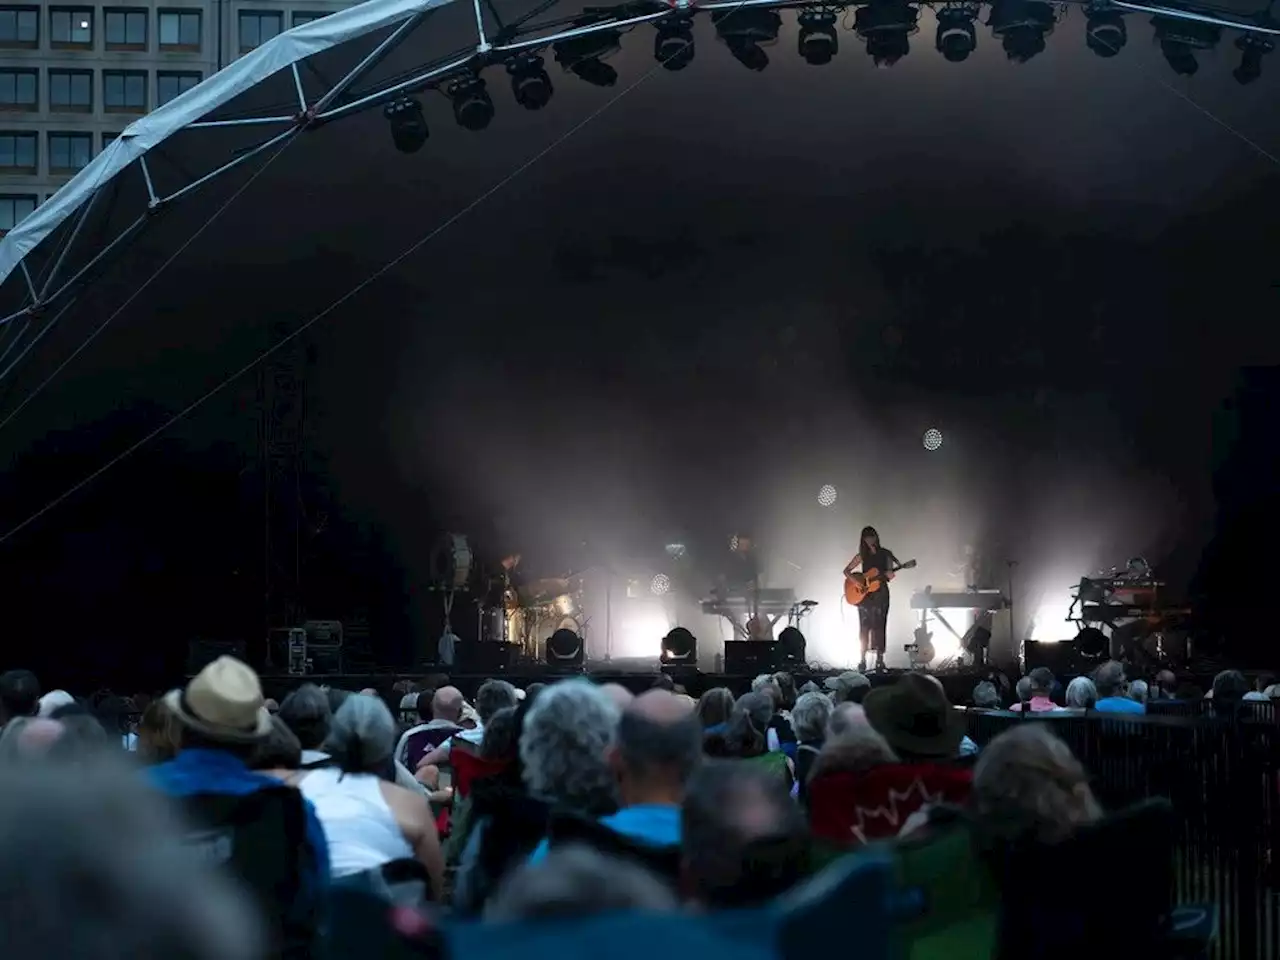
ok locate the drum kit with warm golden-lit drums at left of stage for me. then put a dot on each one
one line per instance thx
(524, 615)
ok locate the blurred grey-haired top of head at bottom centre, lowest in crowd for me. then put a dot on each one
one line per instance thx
(577, 881)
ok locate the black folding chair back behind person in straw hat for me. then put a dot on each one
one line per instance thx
(262, 839)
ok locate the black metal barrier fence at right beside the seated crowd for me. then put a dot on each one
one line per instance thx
(1223, 778)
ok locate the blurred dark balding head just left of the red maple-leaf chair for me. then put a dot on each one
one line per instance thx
(746, 840)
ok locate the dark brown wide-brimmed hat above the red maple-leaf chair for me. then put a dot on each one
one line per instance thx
(916, 719)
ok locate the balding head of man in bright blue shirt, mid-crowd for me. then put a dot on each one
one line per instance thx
(660, 743)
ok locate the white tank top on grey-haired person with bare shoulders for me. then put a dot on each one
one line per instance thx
(358, 822)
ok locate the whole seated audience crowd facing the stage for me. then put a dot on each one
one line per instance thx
(222, 824)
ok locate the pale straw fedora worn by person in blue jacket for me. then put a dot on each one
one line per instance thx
(223, 702)
